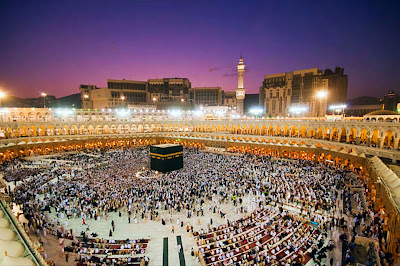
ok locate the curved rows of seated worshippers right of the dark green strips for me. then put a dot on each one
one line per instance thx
(268, 235)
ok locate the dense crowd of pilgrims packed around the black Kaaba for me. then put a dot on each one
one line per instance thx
(119, 180)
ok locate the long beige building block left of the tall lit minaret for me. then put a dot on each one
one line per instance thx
(159, 93)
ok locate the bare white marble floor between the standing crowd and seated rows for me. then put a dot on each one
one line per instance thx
(156, 231)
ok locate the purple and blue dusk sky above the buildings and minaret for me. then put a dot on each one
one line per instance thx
(54, 47)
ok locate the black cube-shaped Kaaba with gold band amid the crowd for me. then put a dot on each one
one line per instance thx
(166, 157)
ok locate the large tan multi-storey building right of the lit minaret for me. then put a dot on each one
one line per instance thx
(297, 90)
